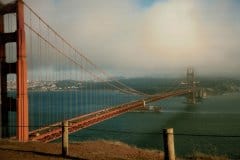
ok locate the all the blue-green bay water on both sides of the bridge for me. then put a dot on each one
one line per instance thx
(215, 115)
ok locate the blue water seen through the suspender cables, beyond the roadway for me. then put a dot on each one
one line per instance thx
(50, 107)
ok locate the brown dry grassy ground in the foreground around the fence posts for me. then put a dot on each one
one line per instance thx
(97, 150)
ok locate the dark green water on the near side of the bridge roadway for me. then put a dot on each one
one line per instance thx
(216, 115)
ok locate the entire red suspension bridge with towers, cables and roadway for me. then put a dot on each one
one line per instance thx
(45, 80)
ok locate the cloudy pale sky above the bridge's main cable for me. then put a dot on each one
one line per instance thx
(136, 38)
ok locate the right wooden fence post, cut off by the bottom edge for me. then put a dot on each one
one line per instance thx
(168, 143)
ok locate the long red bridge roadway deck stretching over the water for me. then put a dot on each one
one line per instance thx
(54, 131)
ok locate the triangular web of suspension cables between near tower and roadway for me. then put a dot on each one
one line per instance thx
(62, 82)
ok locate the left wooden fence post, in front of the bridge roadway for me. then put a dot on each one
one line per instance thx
(65, 138)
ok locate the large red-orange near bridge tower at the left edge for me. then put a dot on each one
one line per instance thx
(20, 104)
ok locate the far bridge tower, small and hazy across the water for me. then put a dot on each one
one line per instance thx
(191, 98)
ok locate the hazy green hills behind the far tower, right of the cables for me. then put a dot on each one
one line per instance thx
(156, 85)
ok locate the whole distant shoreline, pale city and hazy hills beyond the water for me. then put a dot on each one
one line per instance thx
(213, 86)
